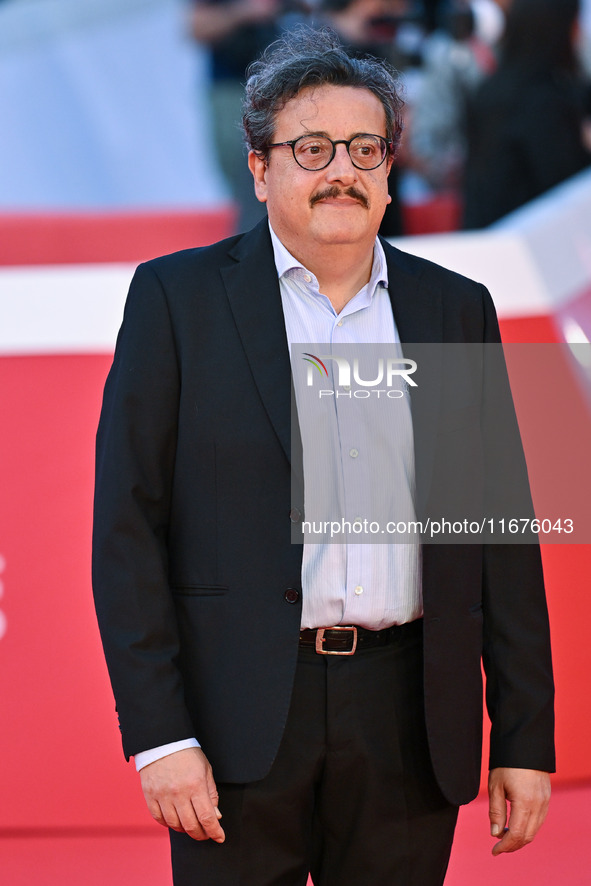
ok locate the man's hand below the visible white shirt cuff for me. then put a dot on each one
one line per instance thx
(181, 794)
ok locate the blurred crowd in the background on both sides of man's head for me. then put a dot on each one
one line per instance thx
(498, 93)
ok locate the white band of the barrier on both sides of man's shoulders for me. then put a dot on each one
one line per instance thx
(536, 263)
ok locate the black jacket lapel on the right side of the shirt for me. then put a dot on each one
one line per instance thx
(418, 313)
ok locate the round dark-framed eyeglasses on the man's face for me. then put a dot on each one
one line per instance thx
(314, 152)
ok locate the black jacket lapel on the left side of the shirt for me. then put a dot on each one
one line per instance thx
(250, 278)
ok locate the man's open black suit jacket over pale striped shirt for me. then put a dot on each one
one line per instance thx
(193, 567)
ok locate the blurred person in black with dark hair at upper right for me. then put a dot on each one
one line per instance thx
(527, 129)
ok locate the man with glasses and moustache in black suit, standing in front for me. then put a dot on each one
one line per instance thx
(351, 765)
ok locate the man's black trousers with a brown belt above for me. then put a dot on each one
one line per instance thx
(351, 797)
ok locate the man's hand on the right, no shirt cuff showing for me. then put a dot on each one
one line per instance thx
(528, 792)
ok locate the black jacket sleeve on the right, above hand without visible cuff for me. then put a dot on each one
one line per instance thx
(516, 635)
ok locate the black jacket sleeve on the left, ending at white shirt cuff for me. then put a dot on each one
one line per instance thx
(136, 444)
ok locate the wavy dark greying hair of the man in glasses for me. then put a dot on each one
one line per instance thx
(308, 57)
